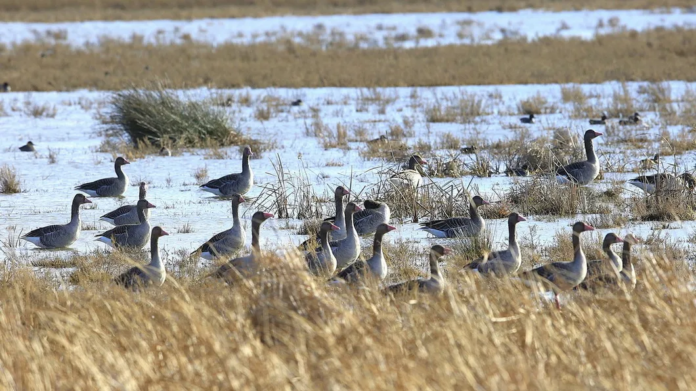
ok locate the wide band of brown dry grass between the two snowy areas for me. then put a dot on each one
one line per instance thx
(650, 56)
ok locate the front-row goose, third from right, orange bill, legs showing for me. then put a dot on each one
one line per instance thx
(562, 276)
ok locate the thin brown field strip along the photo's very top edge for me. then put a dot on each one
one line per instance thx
(80, 10)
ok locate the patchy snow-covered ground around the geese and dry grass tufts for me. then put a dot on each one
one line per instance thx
(74, 136)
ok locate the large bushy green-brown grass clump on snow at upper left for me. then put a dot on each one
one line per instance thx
(159, 117)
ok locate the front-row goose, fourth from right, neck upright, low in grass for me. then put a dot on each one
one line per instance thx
(504, 262)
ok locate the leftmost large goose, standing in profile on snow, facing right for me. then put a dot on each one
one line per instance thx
(58, 236)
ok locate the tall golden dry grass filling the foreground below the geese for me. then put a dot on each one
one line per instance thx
(287, 330)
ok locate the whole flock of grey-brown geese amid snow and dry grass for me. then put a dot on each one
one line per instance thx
(334, 253)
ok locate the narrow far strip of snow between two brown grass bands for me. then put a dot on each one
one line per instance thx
(372, 30)
